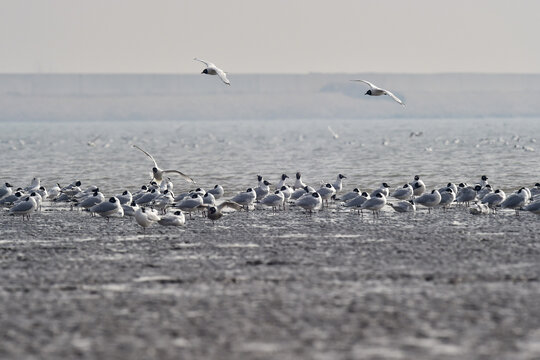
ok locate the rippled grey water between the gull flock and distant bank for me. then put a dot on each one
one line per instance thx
(232, 153)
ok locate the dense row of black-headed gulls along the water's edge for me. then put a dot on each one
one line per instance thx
(156, 202)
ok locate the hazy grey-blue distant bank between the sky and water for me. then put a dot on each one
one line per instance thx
(94, 97)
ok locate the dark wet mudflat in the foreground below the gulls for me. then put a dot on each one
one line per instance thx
(263, 285)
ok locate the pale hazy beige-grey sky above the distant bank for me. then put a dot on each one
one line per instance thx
(277, 36)
